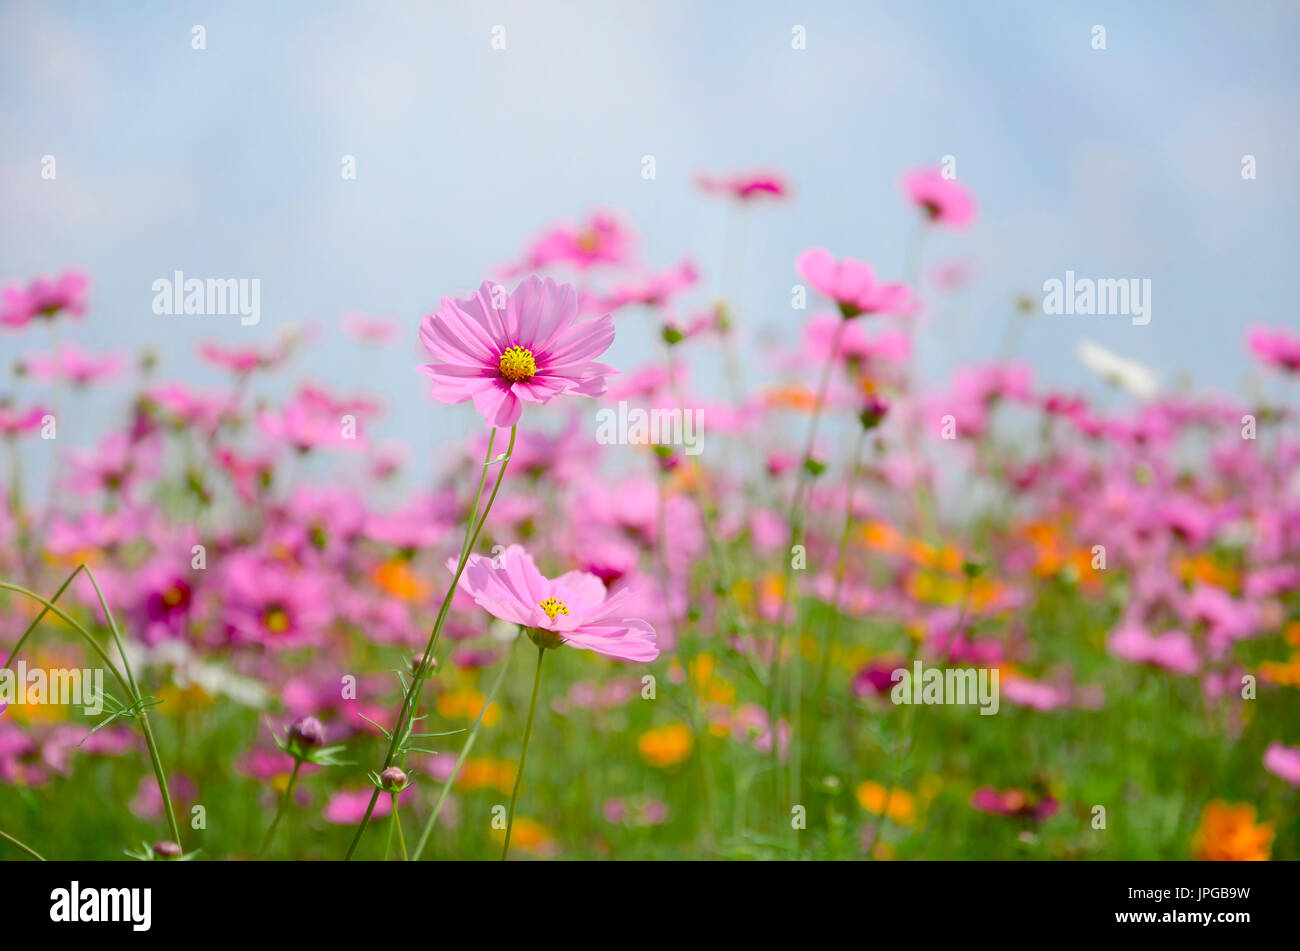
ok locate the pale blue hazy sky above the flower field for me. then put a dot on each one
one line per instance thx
(226, 162)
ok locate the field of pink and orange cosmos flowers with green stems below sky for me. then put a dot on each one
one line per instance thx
(695, 642)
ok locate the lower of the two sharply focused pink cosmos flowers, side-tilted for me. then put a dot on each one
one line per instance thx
(575, 607)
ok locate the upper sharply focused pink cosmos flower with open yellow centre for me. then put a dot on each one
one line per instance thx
(527, 348)
